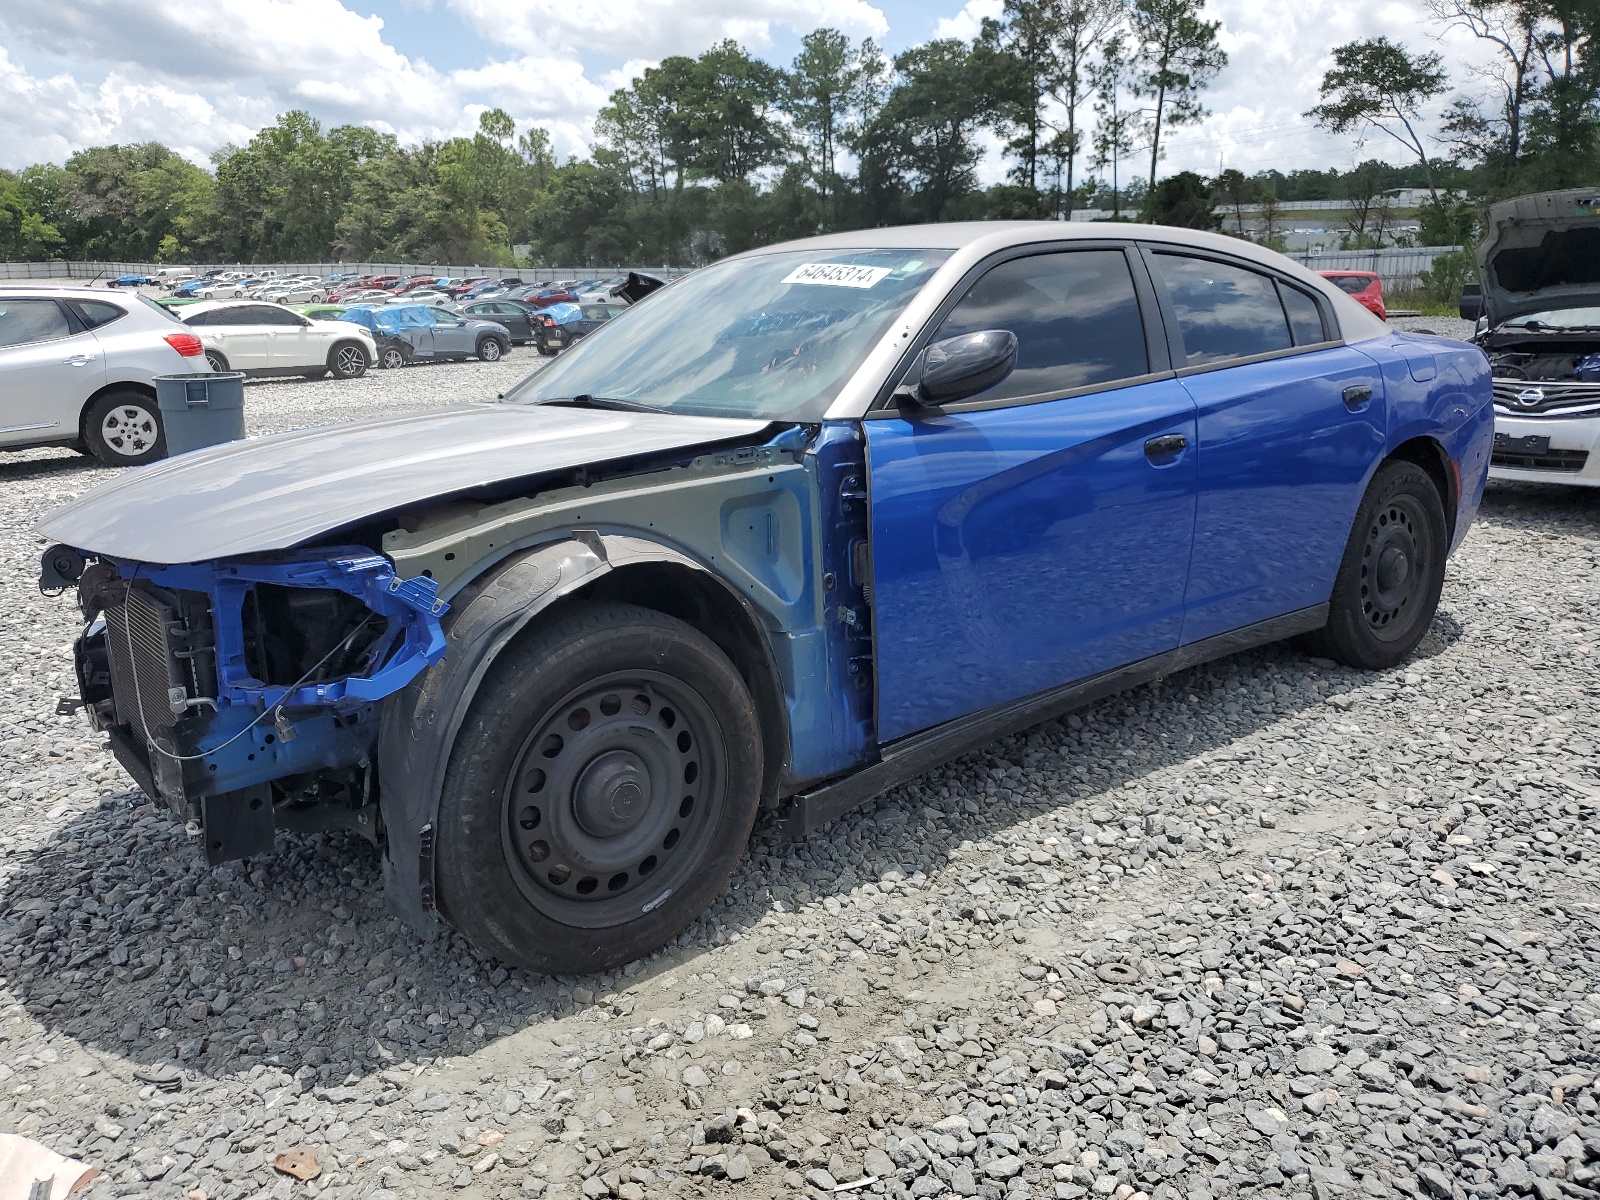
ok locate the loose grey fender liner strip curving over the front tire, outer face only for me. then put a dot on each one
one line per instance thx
(422, 722)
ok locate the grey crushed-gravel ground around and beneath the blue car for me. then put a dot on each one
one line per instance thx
(1270, 927)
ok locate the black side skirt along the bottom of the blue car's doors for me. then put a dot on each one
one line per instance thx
(924, 751)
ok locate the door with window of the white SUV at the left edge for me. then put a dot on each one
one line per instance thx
(47, 370)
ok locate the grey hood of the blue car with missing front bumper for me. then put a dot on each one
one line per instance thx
(270, 494)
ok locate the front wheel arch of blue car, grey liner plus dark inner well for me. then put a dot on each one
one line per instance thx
(420, 724)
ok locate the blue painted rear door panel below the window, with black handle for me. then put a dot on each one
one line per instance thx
(1284, 463)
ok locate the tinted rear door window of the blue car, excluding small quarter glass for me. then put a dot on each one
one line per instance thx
(1223, 311)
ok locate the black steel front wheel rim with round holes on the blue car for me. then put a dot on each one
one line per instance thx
(614, 799)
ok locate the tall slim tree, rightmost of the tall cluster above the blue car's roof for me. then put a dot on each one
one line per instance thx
(1178, 55)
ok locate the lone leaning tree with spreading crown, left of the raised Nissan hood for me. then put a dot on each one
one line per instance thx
(1378, 86)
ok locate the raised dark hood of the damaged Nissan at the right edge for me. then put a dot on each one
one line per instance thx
(1542, 252)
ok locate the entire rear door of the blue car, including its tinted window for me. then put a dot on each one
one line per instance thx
(1290, 425)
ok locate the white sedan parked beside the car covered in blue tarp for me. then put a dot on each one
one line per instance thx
(266, 340)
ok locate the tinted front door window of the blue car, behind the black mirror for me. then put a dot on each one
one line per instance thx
(1074, 314)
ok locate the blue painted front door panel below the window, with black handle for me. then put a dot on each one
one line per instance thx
(1025, 546)
